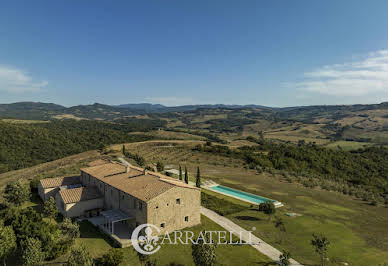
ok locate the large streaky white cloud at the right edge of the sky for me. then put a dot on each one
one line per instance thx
(362, 78)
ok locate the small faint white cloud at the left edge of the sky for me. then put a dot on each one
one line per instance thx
(17, 81)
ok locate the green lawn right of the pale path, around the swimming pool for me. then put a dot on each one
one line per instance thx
(336, 222)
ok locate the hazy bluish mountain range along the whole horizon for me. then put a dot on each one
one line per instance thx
(46, 111)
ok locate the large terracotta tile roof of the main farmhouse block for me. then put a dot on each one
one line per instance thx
(133, 180)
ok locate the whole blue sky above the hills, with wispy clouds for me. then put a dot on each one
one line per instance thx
(275, 53)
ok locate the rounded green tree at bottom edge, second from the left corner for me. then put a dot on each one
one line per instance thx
(32, 253)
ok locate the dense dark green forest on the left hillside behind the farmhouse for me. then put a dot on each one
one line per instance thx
(25, 145)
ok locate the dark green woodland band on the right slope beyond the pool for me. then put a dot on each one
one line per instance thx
(362, 173)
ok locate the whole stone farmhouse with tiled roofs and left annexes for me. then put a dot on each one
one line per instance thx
(125, 196)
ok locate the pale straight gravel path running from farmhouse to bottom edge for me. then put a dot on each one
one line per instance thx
(263, 247)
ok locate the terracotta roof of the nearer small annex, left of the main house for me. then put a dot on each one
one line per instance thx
(80, 194)
